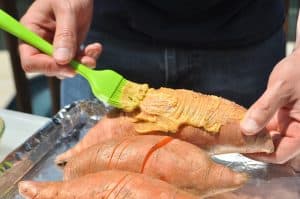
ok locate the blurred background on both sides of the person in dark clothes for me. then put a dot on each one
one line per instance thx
(37, 94)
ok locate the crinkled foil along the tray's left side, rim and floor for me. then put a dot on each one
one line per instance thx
(35, 158)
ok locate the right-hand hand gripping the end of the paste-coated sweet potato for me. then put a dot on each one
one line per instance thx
(278, 109)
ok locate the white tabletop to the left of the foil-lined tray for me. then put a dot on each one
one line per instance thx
(18, 127)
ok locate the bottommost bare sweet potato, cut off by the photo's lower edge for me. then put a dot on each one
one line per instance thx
(107, 184)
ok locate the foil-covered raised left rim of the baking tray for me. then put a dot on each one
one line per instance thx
(27, 155)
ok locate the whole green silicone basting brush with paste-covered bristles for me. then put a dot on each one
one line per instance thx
(107, 85)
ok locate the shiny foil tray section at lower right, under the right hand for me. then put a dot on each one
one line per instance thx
(266, 181)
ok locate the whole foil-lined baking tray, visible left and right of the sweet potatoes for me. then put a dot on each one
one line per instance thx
(34, 160)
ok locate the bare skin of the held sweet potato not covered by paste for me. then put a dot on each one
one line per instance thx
(229, 139)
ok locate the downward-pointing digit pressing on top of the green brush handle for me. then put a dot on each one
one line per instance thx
(65, 38)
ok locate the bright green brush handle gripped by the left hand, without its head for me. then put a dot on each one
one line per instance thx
(12, 26)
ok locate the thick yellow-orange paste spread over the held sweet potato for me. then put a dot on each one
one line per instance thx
(167, 109)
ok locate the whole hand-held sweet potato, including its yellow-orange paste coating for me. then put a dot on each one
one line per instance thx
(209, 122)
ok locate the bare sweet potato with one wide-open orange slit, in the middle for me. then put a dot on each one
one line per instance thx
(177, 162)
